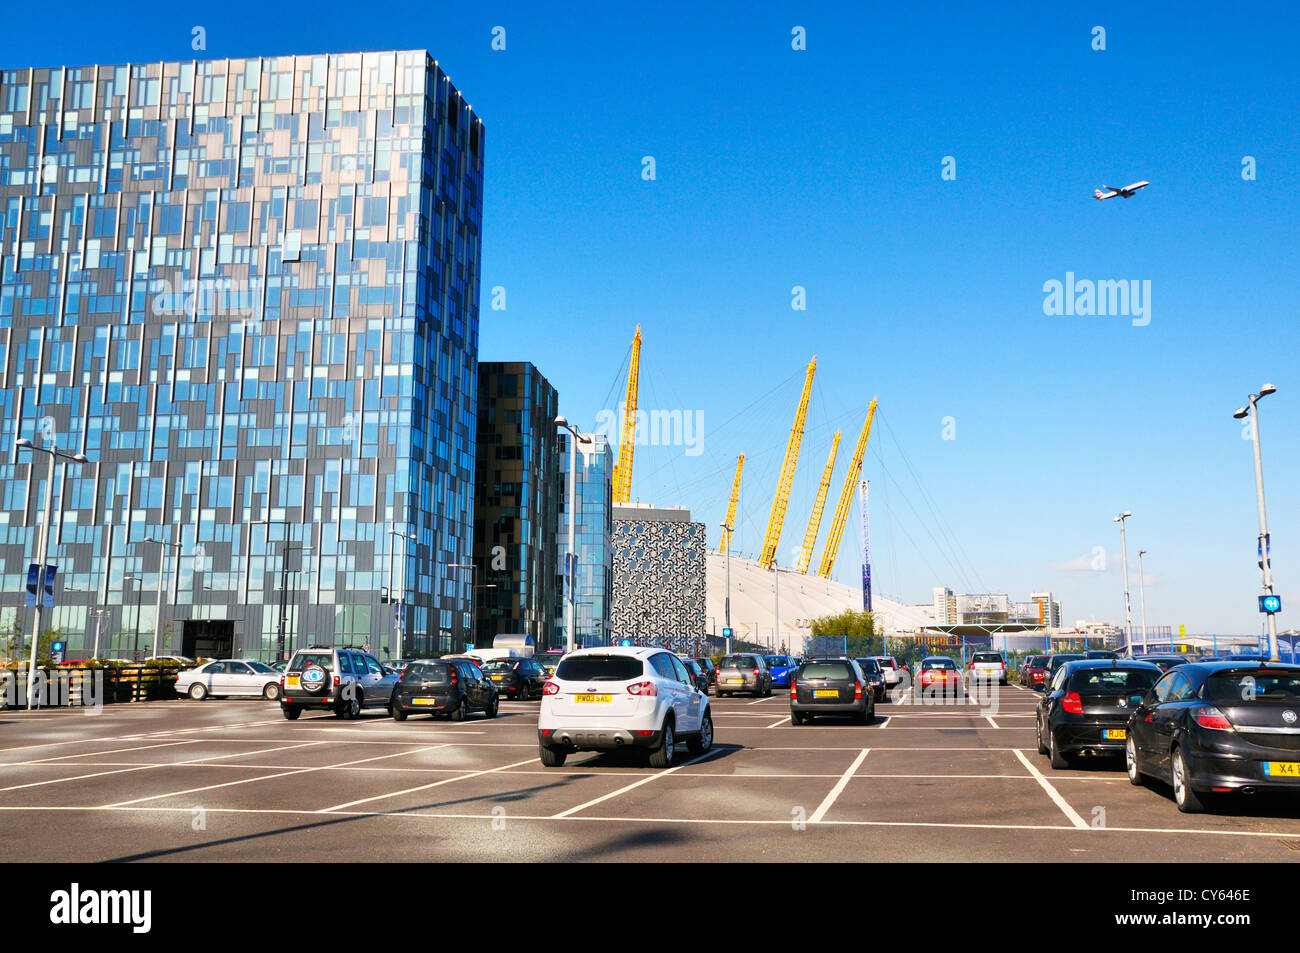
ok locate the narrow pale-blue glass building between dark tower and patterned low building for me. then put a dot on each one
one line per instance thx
(593, 583)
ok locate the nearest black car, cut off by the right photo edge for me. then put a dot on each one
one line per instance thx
(1219, 727)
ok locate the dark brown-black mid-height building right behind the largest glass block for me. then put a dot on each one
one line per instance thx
(518, 501)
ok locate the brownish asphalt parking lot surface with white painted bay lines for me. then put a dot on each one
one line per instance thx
(228, 781)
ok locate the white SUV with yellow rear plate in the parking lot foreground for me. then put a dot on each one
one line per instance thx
(614, 698)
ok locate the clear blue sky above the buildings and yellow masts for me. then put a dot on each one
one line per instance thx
(822, 170)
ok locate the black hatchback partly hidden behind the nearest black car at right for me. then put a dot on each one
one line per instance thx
(1086, 708)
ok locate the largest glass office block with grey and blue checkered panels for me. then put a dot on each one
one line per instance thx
(249, 292)
